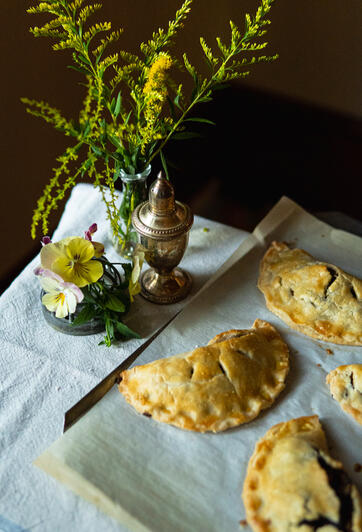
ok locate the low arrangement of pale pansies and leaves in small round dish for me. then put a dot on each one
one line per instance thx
(81, 287)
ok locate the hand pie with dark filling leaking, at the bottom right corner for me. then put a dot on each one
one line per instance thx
(293, 484)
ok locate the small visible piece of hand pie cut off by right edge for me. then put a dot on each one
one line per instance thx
(345, 384)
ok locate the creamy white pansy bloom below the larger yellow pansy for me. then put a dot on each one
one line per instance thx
(60, 297)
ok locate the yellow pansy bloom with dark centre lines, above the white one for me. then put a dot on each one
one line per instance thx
(71, 258)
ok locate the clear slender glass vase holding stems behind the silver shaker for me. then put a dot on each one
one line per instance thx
(134, 192)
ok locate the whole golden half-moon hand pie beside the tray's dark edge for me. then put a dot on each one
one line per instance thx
(215, 387)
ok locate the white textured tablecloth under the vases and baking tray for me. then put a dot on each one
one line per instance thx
(43, 372)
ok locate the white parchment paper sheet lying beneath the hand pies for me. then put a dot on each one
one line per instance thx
(151, 476)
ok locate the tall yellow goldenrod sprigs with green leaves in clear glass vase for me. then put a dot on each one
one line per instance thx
(134, 103)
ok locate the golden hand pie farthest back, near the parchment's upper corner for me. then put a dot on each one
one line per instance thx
(313, 297)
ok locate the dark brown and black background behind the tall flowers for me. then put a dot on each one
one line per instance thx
(294, 127)
